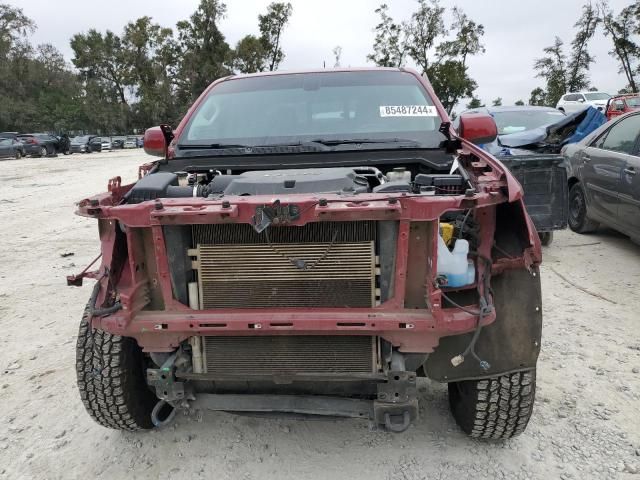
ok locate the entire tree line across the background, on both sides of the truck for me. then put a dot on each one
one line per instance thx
(149, 73)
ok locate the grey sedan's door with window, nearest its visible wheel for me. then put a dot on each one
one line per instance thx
(604, 163)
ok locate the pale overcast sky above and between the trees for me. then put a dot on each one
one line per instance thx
(516, 32)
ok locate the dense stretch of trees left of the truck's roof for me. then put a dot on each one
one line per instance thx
(143, 76)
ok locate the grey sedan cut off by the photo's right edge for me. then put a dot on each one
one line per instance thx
(604, 178)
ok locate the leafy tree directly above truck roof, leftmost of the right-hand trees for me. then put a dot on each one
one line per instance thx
(389, 45)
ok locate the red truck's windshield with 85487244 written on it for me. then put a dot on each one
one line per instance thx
(330, 106)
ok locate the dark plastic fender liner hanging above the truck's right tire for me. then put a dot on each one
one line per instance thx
(510, 344)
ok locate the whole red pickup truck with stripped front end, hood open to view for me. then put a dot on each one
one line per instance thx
(311, 243)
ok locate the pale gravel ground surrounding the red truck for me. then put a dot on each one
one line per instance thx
(586, 422)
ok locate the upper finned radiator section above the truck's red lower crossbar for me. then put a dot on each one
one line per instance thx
(324, 264)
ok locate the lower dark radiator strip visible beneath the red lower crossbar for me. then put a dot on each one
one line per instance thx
(282, 355)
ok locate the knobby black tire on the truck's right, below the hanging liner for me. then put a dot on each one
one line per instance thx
(495, 408)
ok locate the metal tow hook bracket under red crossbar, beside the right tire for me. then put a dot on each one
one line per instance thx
(397, 403)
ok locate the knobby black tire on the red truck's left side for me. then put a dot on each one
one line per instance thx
(110, 379)
